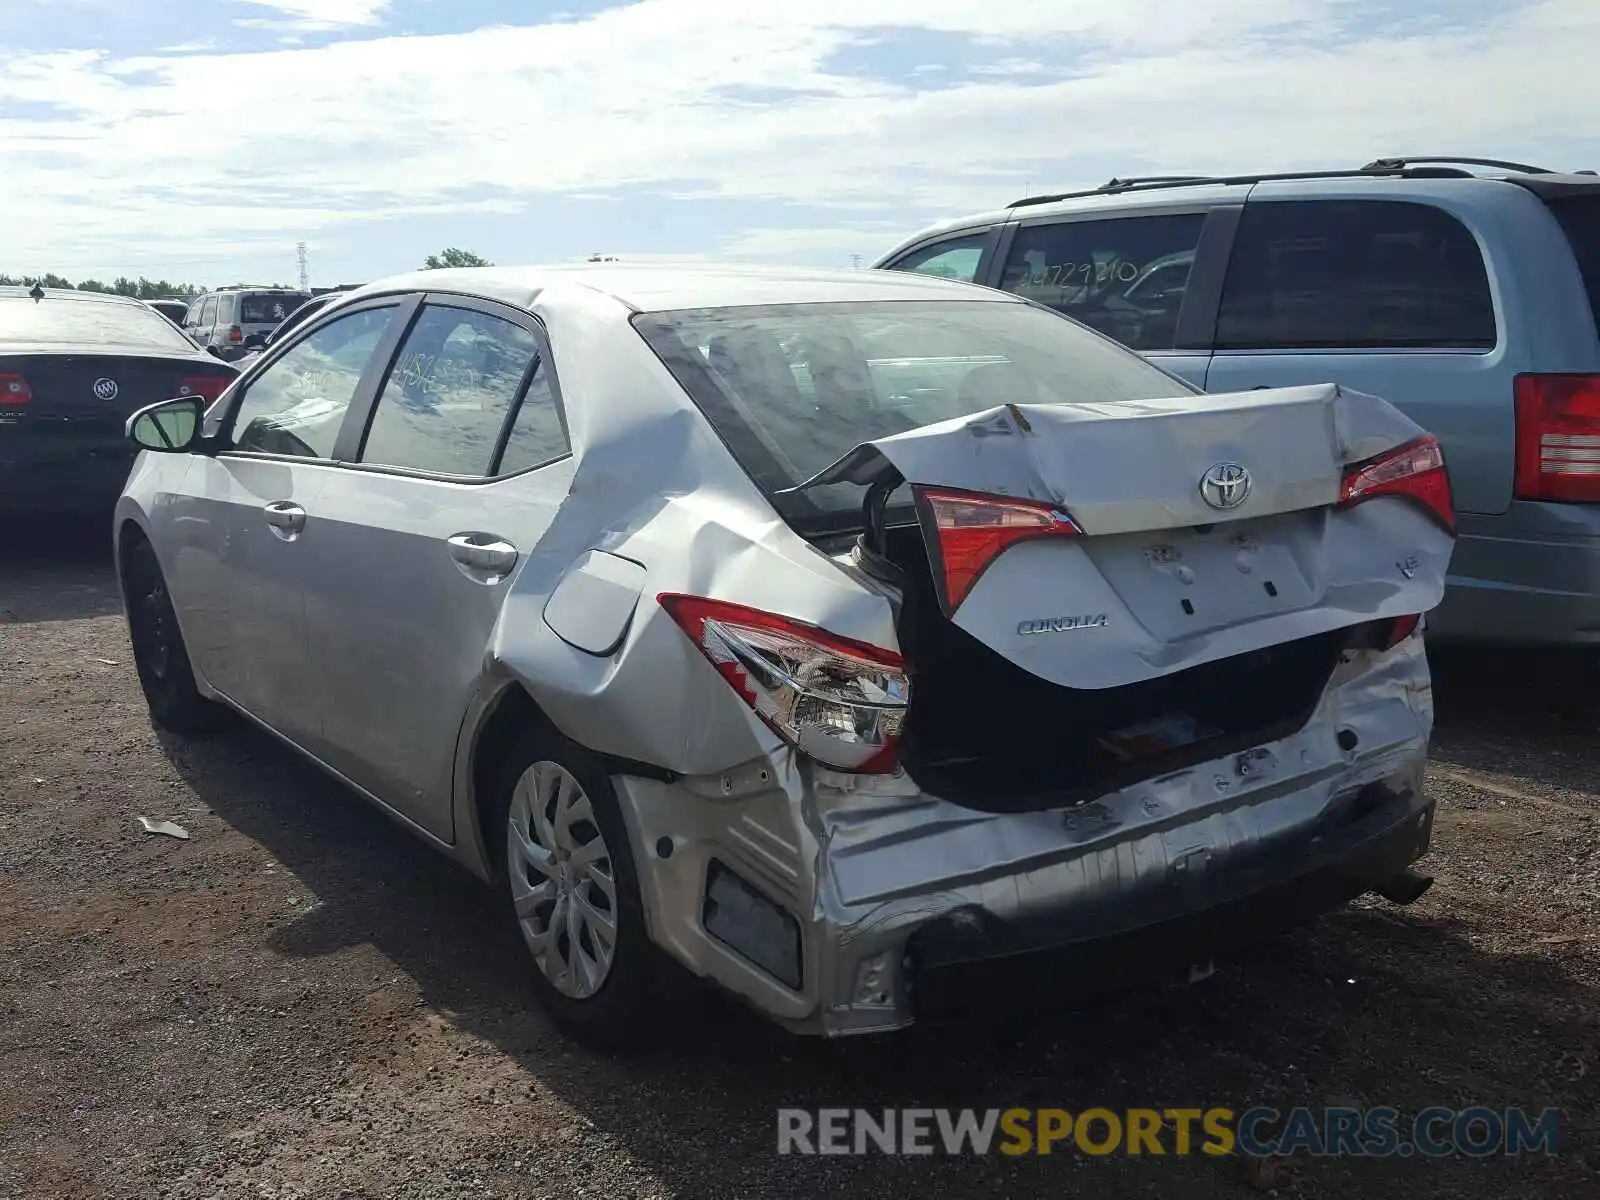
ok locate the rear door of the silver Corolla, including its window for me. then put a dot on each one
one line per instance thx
(457, 474)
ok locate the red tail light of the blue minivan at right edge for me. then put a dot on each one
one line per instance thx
(1559, 438)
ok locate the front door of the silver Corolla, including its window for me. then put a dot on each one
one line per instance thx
(247, 527)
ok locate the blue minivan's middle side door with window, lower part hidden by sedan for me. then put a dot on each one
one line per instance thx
(1129, 276)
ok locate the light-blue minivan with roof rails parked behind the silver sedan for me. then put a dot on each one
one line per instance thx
(1463, 290)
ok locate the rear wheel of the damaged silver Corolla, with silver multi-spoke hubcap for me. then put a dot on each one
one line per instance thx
(567, 874)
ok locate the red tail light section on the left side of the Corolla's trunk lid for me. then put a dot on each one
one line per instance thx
(974, 530)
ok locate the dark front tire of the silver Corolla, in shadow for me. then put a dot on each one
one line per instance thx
(159, 652)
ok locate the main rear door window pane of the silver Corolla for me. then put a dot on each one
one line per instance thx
(449, 394)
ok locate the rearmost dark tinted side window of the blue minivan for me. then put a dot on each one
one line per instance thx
(1354, 274)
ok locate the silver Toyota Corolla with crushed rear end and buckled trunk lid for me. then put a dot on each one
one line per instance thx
(866, 644)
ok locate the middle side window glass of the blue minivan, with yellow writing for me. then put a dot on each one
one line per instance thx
(1124, 278)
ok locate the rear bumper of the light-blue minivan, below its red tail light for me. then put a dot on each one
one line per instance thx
(1530, 577)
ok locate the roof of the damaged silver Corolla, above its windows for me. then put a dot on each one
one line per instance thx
(658, 287)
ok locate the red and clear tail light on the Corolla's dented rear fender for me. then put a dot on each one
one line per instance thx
(839, 702)
